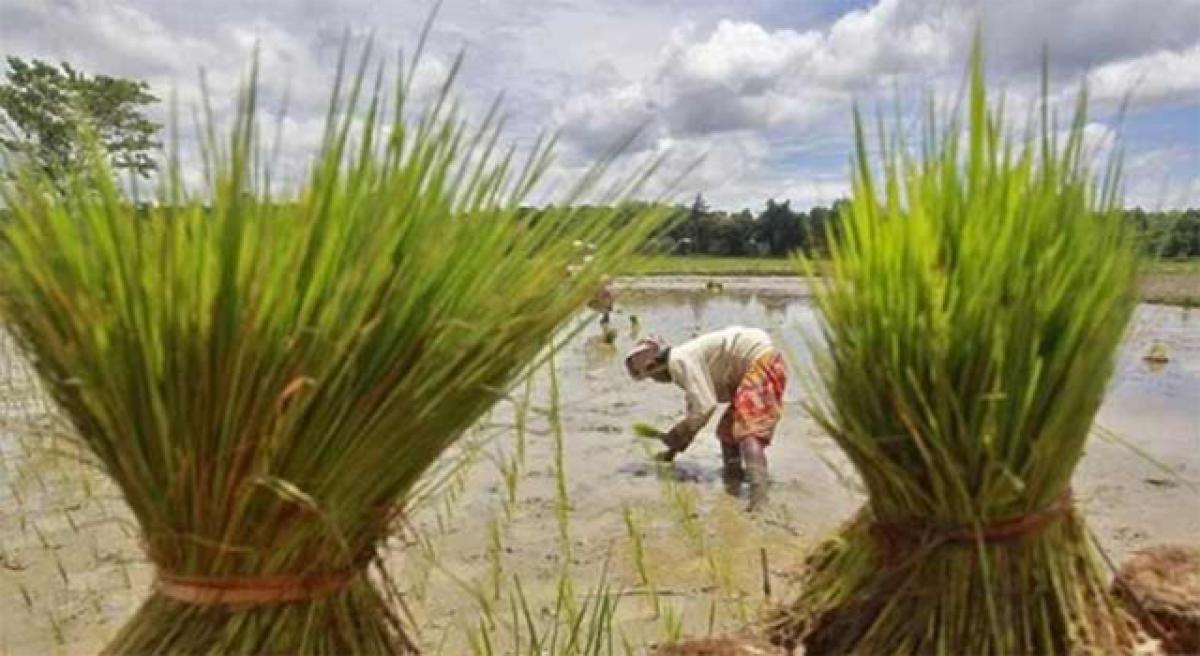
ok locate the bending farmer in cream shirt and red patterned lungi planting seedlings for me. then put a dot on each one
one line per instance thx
(739, 366)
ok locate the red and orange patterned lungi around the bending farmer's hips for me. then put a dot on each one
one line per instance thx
(758, 404)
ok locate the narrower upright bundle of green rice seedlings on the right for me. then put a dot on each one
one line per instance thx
(979, 290)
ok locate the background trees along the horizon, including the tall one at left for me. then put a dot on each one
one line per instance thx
(43, 107)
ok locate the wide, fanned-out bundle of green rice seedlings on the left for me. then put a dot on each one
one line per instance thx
(268, 376)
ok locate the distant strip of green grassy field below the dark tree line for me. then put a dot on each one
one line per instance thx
(1168, 282)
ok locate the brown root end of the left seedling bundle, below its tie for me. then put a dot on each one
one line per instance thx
(358, 619)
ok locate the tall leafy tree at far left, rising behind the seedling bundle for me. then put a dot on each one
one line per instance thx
(44, 110)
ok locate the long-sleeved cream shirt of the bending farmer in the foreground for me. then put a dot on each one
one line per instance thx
(711, 368)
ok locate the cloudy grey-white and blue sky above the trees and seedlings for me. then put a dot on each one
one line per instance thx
(760, 88)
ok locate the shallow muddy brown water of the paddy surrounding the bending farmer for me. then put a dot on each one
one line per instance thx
(71, 570)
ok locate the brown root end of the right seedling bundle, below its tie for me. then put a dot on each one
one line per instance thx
(1039, 593)
